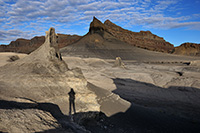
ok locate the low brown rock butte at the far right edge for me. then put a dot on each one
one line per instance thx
(191, 49)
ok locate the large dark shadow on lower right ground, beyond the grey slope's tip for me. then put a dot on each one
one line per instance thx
(150, 106)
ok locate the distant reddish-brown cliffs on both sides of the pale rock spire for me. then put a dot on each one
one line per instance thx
(28, 46)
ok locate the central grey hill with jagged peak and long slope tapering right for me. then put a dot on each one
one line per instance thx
(99, 43)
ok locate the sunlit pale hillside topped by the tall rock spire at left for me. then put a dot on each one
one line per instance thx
(44, 77)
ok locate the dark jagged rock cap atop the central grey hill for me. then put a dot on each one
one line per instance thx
(96, 26)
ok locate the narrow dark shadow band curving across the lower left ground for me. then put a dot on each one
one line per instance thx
(66, 125)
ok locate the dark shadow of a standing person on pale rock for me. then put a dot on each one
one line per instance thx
(71, 101)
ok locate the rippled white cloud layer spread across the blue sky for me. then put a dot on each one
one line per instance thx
(44, 13)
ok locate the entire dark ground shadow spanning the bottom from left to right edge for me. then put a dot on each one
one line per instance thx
(148, 111)
